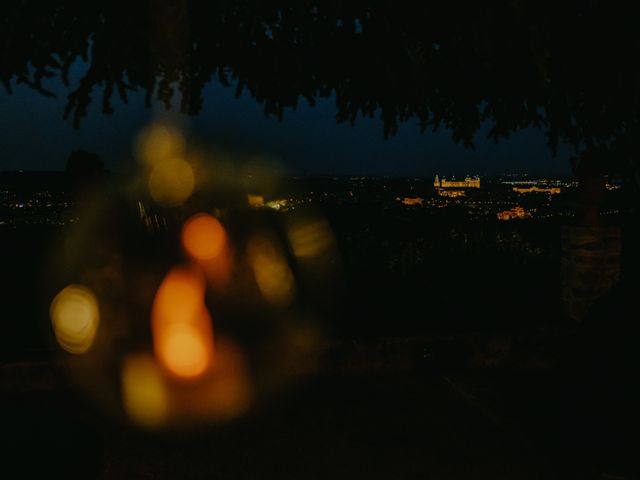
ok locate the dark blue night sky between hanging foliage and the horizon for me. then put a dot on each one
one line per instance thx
(309, 141)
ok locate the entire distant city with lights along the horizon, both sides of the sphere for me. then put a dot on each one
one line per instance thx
(502, 198)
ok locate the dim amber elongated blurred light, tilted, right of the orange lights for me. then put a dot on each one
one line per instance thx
(271, 271)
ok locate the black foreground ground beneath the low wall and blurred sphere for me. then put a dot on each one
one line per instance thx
(482, 424)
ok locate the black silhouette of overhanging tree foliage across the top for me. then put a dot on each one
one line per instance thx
(571, 68)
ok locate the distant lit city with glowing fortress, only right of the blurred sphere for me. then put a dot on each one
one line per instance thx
(496, 198)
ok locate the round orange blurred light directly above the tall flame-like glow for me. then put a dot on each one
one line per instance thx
(203, 237)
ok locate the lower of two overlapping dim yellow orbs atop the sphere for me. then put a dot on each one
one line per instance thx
(171, 182)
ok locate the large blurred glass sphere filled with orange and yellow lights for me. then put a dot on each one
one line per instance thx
(186, 294)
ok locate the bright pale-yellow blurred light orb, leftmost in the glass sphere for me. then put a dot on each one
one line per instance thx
(75, 318)
